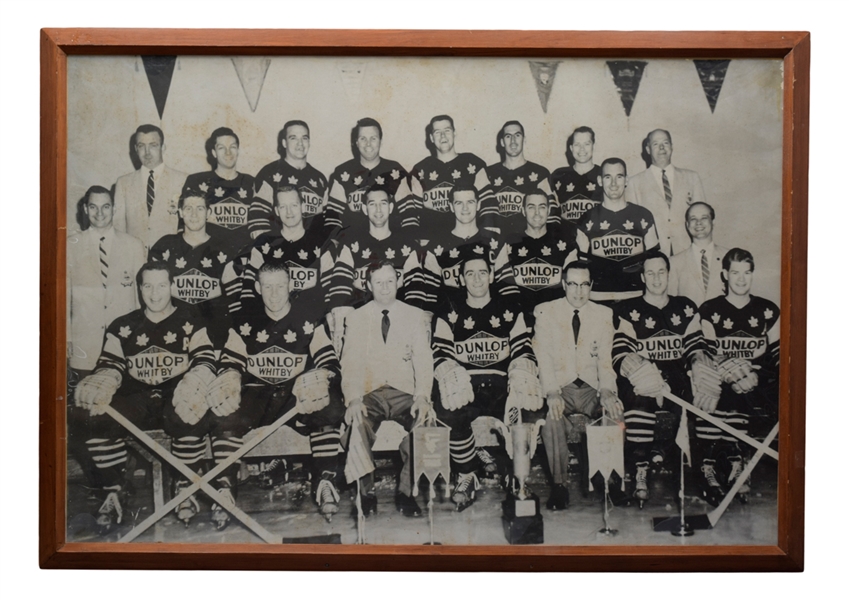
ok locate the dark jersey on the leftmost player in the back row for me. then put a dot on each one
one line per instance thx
(229, 206)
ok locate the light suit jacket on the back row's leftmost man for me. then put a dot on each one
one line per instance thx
(131, 204)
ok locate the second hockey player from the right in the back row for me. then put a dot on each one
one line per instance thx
(510, 180)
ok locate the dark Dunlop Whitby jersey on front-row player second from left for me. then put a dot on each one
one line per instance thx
(273, 353)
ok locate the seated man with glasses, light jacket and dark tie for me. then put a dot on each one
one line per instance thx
(573, 343)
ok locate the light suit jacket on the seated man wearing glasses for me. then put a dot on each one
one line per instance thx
(562, 360)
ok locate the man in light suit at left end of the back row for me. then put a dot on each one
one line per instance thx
(146, 199)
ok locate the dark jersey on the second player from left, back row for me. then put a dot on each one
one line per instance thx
(309, 181)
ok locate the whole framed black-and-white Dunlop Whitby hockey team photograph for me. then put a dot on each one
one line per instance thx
(423, 300)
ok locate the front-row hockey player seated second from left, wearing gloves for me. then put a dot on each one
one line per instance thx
(281, 357)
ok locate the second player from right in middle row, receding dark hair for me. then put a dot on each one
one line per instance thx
(540, 256)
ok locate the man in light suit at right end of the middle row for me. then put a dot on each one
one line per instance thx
(696, 271)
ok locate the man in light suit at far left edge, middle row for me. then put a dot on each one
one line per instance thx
(102, 267)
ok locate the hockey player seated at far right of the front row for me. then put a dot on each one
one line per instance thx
(741, 333)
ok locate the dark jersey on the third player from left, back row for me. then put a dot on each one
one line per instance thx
(348, 184)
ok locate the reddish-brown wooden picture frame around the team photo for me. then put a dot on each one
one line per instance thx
(791, 47)
